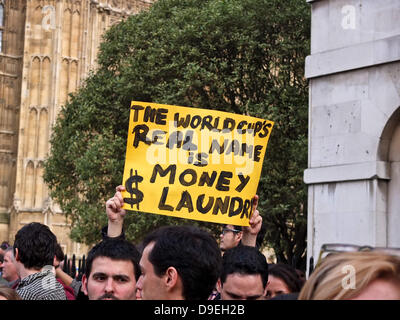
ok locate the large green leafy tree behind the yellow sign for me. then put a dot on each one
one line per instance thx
(241, 56)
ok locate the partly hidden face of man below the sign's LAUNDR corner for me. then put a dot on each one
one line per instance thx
(242, 287)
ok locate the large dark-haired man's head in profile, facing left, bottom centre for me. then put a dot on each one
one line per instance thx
(179, 263)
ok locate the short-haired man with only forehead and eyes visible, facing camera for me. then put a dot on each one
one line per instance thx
(244, 274)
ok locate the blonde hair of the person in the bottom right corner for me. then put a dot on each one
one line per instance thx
(331, 280)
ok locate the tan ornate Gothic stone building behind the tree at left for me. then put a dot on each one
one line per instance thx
(47, 47)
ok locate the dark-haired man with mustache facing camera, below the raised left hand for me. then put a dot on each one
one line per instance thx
(112, 269)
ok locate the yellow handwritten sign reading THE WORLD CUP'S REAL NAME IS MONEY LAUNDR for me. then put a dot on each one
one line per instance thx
(193, 163)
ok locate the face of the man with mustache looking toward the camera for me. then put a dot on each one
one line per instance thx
(110, 280)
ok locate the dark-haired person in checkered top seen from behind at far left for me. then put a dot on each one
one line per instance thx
(34, 250)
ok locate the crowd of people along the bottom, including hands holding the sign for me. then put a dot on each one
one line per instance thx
(186, 263)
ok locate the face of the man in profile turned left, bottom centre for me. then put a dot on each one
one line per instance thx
(149, 284)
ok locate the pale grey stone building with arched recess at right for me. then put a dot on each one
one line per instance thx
(354, 123)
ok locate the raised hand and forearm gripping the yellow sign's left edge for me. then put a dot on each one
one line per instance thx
(115, 213)
